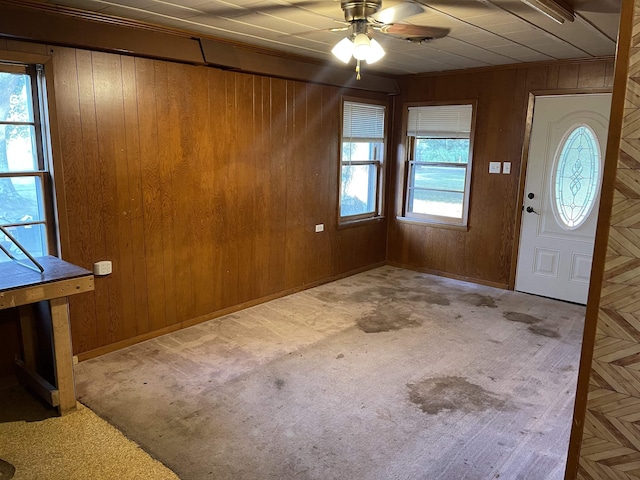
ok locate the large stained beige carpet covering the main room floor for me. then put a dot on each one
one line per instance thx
(388, 374)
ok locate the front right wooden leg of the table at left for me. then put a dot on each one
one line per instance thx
(63, 354)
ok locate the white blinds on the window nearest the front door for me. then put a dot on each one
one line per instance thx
(440, 121)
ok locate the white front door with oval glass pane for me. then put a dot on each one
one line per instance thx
(562, 195)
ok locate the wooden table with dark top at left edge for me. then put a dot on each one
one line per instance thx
(21, 287)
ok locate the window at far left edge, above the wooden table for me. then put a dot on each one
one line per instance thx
(24, 181)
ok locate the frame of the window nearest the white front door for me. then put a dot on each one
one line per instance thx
(410, 164)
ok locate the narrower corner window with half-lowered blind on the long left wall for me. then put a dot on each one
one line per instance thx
(363, 144)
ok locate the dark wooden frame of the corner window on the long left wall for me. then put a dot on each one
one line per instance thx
(378, 163)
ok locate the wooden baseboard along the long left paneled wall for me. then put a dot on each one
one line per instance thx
(112, 347)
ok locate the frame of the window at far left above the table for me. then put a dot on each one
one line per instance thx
(36, 70)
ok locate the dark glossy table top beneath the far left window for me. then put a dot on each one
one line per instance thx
(14, 275)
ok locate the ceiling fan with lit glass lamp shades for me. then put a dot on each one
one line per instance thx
(364, 17)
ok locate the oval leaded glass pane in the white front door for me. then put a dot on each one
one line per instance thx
(576, 177)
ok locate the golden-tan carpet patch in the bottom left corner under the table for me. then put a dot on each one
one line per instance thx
(78, 446)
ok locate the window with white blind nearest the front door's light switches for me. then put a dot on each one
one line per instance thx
(439, 143)
